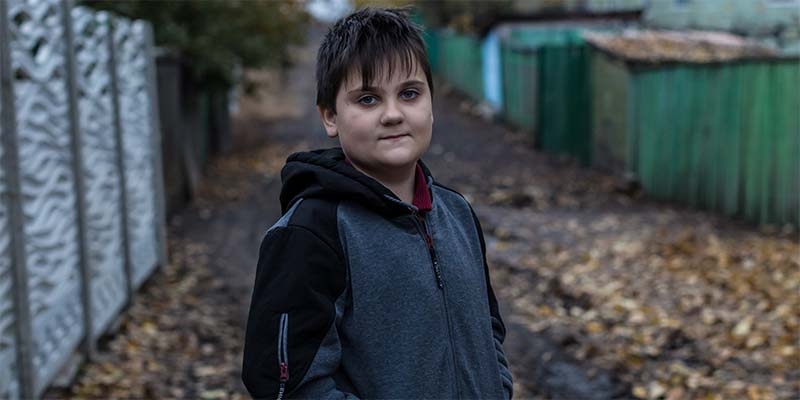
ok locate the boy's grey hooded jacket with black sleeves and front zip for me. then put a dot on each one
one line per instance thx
(359, 295)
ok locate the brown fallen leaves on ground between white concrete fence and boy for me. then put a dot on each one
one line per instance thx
(182, 335)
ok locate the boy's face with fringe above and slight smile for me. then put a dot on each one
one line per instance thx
(385, 127)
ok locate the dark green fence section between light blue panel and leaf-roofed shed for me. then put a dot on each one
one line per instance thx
(546, 88)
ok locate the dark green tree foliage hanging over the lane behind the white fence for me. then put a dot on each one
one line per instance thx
(219, 36)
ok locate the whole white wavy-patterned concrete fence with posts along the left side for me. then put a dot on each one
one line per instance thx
(81, 209)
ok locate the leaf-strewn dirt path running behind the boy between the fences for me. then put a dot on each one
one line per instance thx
(606, 295)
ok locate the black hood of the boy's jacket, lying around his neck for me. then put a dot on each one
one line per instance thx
(325, 174)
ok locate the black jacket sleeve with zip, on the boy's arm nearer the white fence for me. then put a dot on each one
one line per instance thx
(298, 279)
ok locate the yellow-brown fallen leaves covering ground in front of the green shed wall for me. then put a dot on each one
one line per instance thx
(684, 309)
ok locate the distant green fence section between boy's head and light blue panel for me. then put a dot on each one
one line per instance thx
(459, 61)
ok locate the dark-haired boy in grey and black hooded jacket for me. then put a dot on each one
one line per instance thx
(374, 282)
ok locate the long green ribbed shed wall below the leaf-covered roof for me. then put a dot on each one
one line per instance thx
(723, 137)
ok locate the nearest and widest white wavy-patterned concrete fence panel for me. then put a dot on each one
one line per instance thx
(47, 184)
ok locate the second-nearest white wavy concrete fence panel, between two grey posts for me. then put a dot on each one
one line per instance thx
(100, 166)
